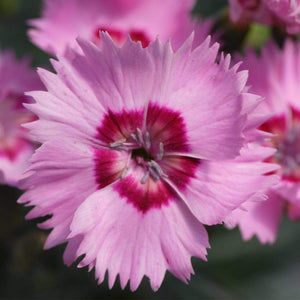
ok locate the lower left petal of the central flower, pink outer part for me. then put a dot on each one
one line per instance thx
(62, 176)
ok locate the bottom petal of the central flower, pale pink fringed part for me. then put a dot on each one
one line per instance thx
(134, 244)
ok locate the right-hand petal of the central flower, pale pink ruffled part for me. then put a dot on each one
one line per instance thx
(219, 187)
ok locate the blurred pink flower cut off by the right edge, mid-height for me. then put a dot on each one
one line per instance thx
(276, 76)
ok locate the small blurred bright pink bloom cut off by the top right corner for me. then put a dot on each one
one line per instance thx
(287, 12)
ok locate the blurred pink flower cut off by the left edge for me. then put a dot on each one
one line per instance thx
(16, 77)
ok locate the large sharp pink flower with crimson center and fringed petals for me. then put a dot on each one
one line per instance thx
(140, 147)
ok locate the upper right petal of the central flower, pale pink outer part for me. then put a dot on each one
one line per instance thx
(215, 104)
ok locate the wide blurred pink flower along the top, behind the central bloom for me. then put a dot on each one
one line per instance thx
(63, 21)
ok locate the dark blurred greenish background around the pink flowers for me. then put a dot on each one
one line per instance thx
(235, 269)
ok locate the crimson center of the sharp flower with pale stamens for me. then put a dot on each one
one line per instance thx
(146, 159)
